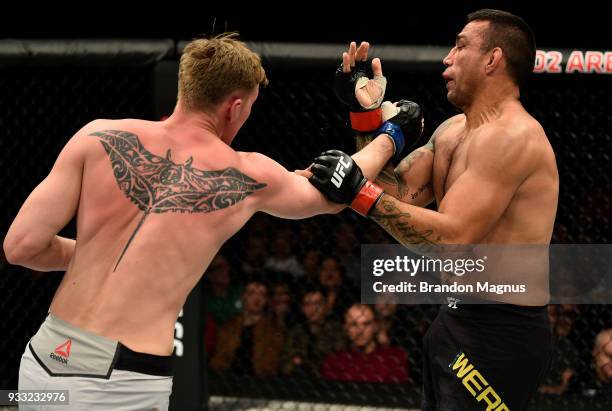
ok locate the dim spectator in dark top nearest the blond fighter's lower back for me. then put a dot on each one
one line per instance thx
(222, 297)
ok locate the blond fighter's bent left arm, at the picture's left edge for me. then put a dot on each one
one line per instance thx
(32, 239)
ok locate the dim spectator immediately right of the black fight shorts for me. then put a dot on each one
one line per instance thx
(566, 357)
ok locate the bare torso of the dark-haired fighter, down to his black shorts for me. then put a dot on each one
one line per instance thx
(527, 220)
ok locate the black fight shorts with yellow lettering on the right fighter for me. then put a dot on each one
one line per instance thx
(485, 357)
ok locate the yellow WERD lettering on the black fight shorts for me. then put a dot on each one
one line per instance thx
(475, 383)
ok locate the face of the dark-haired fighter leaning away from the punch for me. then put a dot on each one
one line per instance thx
(465, 64)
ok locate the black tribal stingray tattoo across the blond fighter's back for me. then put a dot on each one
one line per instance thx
(158, 185)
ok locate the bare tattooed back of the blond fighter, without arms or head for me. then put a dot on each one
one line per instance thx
(137, 300)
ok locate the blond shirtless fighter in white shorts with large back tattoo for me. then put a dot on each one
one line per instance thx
(154, 202)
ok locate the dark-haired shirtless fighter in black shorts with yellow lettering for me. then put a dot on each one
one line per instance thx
(494, 177)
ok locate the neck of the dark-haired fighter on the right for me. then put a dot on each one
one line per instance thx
(489, 105)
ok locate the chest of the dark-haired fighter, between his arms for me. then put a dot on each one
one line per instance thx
(450, 160)
